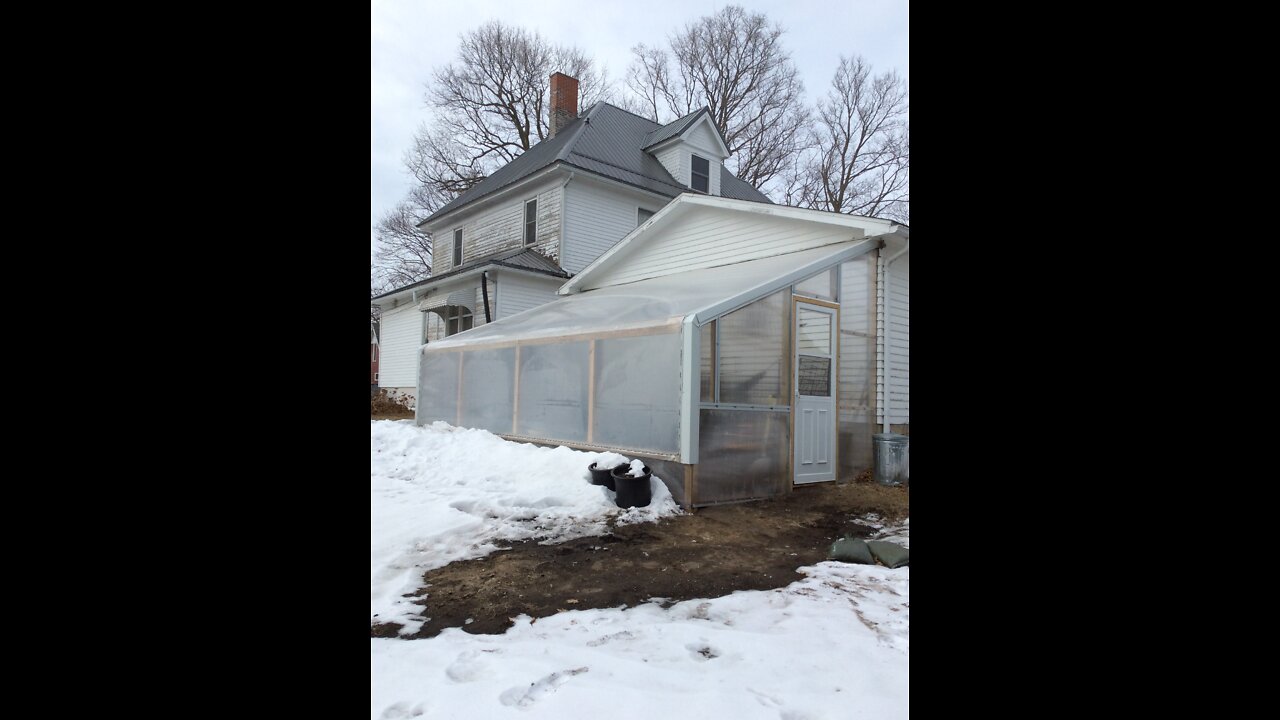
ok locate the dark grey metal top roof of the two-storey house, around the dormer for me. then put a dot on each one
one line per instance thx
(607, 142)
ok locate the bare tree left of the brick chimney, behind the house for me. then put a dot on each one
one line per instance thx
(490, 107)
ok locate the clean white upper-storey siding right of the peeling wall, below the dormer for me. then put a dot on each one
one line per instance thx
(596, 218)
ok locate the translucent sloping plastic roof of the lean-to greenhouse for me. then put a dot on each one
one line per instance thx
(659, 303)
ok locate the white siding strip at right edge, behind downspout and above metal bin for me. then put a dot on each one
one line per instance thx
(898, 341)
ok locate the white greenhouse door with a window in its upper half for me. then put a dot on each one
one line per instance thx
(815, 389)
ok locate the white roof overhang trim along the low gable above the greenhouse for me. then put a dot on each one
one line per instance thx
(689, 203)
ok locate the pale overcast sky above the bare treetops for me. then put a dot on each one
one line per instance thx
(410, 38)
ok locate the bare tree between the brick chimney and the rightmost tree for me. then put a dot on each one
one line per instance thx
(733, 62)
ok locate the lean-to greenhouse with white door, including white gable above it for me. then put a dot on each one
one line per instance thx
(734, 381)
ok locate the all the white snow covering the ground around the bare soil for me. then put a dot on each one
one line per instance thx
(831, 646)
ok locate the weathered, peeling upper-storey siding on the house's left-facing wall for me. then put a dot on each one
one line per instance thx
(502, 229)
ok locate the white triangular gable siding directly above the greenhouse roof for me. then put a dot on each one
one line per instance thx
(714, 239)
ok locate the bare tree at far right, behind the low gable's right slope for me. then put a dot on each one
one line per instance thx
(858, 156)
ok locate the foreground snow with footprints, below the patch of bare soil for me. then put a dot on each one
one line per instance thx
(831, 646)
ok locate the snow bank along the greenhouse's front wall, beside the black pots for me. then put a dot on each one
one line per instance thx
(442, 494)
